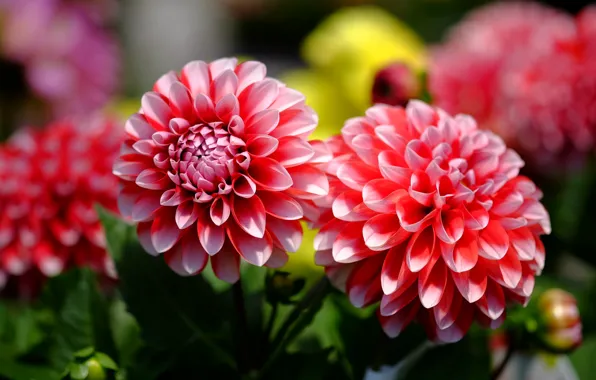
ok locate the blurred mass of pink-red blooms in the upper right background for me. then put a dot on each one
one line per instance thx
(523, 70)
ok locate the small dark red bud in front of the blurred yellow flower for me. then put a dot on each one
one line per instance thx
(395, 85)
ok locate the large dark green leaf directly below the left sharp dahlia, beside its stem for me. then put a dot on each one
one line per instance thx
(171, 310)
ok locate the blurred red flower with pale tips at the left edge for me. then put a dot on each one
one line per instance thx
(51, 180)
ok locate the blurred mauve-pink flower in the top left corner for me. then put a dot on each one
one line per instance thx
(70, 61)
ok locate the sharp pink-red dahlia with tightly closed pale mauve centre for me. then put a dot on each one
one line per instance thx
(217, 165)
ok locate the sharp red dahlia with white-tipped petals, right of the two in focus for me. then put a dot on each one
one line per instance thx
(427, 214)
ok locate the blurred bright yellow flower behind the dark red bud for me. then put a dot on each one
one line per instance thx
(354, 43)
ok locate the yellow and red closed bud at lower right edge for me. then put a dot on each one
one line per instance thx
(561, 324)
